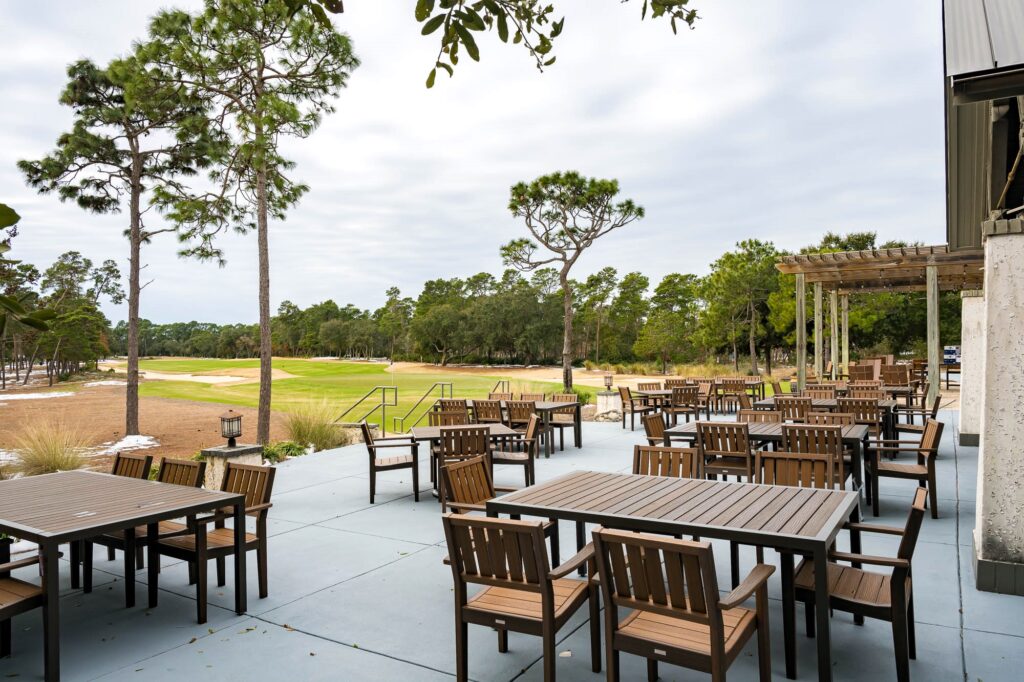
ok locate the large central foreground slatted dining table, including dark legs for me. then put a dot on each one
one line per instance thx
(796, 521)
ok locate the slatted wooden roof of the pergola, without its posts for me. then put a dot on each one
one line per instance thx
(900, 270)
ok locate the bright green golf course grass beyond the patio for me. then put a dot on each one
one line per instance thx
(342, 385)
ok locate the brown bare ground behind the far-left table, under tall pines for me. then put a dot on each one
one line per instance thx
(182, 428)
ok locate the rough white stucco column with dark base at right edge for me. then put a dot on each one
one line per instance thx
(999, 533)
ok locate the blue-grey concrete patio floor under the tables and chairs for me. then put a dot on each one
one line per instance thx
(359, 592)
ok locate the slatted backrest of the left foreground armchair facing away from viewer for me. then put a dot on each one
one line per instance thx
(497, 552)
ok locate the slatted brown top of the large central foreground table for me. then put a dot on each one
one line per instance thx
(777, 515)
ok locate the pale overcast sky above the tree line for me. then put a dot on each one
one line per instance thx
(778, 120)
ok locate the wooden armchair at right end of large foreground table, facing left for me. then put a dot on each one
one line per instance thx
(887, 598)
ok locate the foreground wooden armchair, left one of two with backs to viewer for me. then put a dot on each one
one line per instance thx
(509, 560)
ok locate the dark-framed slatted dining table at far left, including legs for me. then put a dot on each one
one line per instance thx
(72, 506)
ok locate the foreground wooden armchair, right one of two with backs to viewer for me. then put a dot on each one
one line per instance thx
(677, 614)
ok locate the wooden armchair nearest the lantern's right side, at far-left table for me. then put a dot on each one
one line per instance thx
(202, 545)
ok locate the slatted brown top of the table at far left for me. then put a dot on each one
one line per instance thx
(70, 503)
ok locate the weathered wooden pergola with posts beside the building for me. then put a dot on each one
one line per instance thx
(931, 269)
